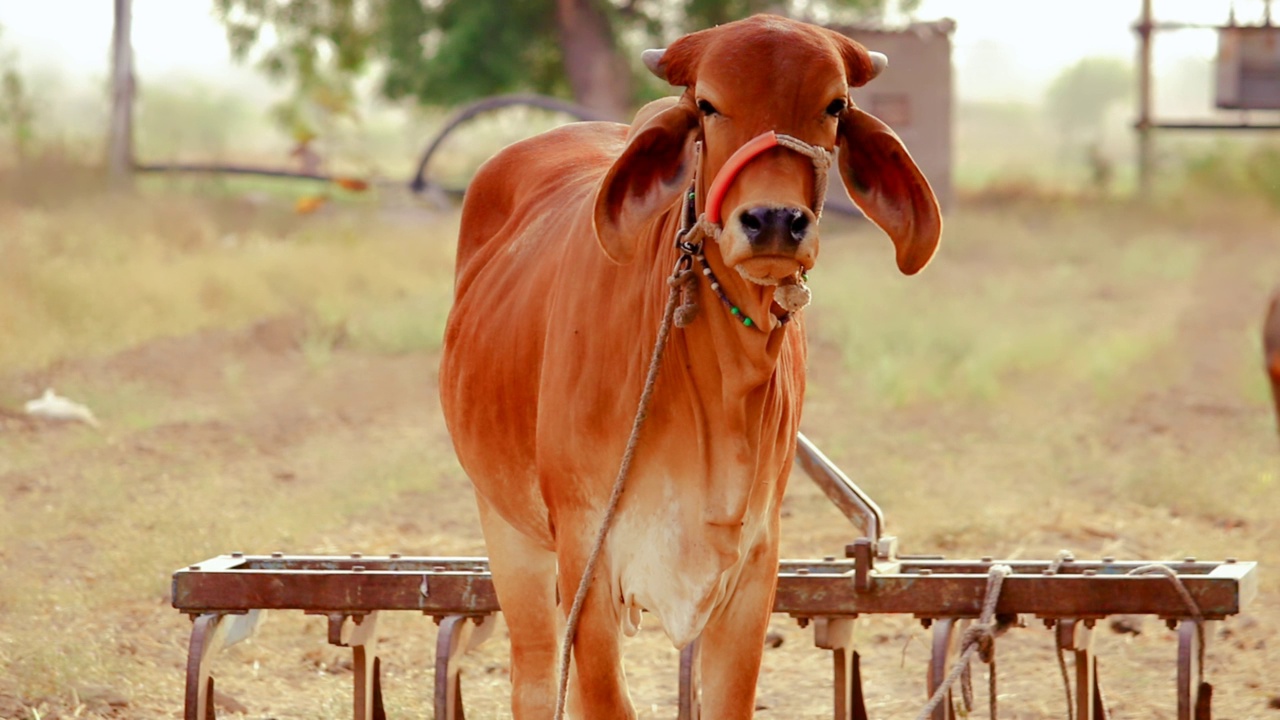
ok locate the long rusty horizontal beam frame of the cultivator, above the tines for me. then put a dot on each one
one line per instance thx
(819, 589)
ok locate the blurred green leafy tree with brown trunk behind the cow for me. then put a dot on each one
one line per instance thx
(449, 52)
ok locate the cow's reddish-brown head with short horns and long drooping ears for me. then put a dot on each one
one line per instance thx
(746, 79)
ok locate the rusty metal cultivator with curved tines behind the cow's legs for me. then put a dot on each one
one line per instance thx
(226, 596)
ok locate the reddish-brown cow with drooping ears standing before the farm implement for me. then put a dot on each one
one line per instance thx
(566, 247)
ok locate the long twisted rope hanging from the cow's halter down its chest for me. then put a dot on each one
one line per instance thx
(678, 282)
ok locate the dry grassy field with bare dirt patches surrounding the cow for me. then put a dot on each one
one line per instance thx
(1067, 375)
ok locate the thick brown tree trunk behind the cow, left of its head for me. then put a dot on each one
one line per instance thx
(598, 76)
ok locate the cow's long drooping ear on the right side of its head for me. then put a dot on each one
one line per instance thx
(889, 188)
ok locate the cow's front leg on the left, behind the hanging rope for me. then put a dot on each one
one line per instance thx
(598, 687)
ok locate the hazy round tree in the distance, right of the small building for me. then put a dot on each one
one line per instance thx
(1081, 97)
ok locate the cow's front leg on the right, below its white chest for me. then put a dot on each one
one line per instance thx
(734, 639)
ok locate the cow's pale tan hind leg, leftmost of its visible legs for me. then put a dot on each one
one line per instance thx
(524, 575)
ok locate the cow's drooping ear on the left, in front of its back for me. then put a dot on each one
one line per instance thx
(653, 171)
